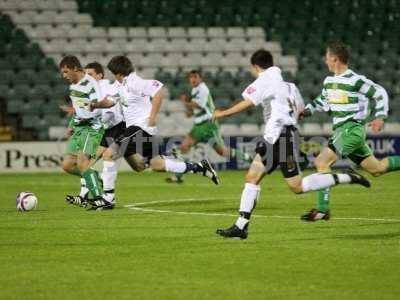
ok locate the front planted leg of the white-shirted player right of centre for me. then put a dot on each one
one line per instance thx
(248, 200)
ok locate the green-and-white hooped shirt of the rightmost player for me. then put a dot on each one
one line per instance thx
(348, 97)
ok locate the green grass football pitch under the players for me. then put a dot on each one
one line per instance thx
(65, 252)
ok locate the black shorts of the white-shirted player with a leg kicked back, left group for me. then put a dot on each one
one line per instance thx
(136, 141)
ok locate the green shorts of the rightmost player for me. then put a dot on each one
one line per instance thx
(349, 140)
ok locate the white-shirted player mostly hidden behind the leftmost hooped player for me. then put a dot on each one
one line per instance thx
(114, 124)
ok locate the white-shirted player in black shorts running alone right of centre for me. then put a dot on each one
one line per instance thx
(280, 144)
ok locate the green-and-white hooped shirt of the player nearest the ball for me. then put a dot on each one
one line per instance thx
(82, 94)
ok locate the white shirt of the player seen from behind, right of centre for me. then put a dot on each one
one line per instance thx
(281, 101)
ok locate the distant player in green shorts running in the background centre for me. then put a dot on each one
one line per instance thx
(205, 129)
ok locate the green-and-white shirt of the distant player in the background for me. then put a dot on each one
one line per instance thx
(202, 97)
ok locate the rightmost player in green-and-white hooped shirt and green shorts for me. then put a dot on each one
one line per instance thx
(347, 97)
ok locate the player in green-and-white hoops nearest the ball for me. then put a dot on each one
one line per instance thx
(85, 129)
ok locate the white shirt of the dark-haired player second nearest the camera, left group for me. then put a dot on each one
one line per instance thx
(135, 96)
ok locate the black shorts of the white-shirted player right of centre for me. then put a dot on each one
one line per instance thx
(284, 153)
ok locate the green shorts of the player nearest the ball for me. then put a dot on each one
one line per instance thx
(84, 139)
